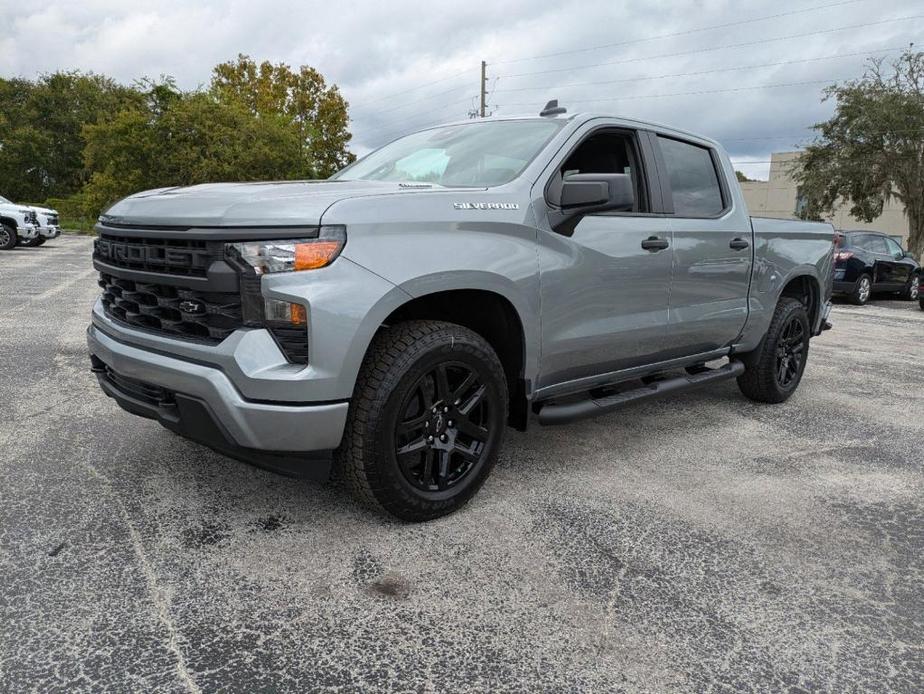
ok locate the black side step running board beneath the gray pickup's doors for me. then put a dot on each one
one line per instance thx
(567, 412)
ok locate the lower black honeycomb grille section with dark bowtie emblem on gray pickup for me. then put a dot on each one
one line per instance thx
(177, 311)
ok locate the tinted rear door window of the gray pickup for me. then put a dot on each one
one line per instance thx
(695, 187)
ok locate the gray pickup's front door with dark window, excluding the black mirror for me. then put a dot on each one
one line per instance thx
(605, 288)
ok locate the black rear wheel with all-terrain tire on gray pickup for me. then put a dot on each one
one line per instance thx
(761, 379)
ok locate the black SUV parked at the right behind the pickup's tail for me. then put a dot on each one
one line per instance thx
(869, 262)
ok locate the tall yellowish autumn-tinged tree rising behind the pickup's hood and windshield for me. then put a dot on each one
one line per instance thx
(317, 111)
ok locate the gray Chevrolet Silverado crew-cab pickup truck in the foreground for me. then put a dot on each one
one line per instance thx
(394, 319)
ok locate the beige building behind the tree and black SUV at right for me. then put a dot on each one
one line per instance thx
(779, 197)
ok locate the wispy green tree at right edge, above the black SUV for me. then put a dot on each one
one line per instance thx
(872, 149)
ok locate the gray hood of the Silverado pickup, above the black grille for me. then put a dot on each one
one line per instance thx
(285, 203)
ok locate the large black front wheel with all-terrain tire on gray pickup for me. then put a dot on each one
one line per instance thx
(399, 360)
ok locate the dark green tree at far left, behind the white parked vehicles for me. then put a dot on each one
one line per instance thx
(40, 130)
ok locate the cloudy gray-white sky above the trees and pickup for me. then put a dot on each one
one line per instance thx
(748, 73)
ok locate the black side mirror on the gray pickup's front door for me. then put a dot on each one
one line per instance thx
(583, 194)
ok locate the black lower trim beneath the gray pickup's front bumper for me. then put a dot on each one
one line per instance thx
(193, 419)
